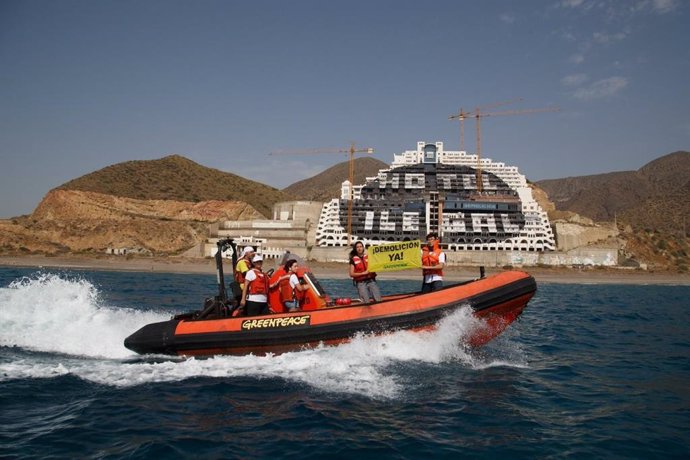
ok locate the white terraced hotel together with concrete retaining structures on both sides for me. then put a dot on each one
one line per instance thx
(485, 216)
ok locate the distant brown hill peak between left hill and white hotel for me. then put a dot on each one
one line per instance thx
(326, 185)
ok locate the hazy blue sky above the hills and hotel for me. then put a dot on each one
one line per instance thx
(86, 84)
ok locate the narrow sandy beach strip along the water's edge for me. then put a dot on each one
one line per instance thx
(337, 270)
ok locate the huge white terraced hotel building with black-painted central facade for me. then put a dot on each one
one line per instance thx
(431, 189)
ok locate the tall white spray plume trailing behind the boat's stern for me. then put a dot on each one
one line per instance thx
(54, 314)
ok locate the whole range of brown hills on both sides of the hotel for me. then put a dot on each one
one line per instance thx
(164, 206)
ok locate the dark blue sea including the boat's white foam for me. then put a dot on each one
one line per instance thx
(588, 371)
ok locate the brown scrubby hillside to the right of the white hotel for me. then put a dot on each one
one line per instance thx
(650, 206)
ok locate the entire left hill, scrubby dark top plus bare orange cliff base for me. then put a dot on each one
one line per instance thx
(153, 207)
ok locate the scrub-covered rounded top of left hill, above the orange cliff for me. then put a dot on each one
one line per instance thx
(177, 178)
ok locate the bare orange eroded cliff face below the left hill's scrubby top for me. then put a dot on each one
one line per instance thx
(72, 221)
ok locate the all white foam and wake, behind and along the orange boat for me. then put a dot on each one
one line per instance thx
(64, 317)
